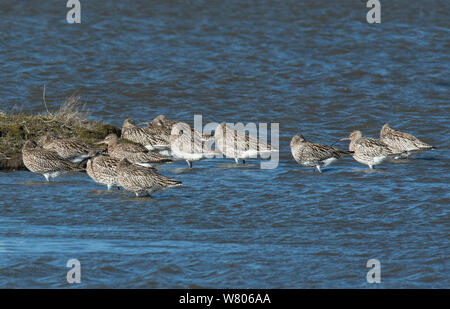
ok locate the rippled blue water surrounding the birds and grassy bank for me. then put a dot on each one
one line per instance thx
(316, 68)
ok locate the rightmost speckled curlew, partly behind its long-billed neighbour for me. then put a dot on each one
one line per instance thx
(401, 141)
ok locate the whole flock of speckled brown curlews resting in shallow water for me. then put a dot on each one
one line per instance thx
(132, 165)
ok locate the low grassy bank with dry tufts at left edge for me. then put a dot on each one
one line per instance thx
(69, 121)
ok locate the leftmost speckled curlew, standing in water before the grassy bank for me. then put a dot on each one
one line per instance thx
(46, 162)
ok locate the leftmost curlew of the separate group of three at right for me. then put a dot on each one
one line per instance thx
(312, 154)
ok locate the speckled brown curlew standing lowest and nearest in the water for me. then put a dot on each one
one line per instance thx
(142, 180)
